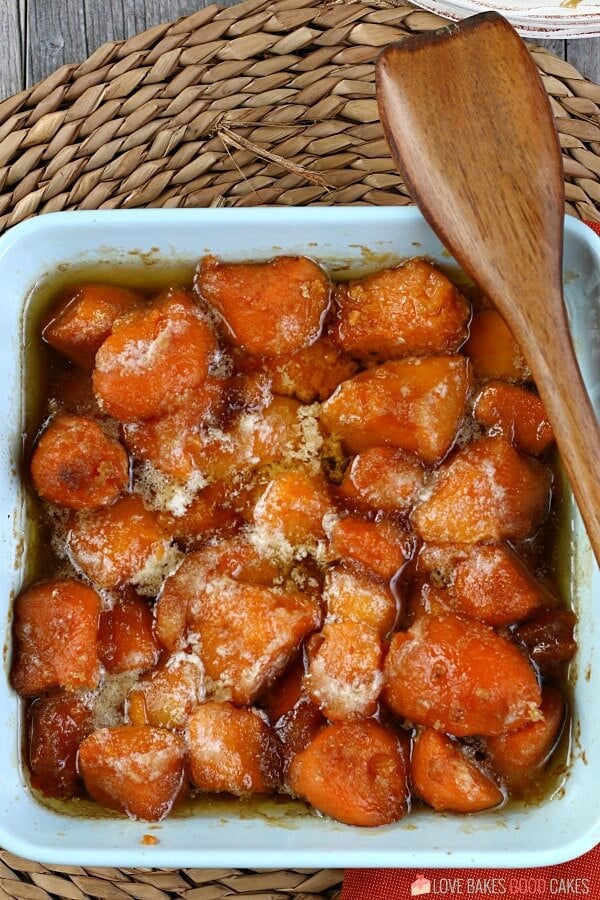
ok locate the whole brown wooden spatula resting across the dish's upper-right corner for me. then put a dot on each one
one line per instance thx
(470, 127)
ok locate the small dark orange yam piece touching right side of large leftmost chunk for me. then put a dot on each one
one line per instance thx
(126, 636)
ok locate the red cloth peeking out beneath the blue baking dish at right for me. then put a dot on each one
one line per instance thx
(580, 877)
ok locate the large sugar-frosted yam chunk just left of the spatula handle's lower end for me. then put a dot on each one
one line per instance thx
(500, 494)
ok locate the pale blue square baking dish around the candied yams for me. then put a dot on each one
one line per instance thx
(560, 828)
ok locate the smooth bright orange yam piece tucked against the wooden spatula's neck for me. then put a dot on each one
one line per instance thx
(493, 350)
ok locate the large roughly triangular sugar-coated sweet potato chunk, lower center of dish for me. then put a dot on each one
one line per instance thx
(248, 632)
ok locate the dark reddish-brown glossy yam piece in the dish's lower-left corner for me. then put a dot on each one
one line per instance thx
(56, 727)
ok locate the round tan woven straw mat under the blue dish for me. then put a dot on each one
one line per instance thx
(261, 103)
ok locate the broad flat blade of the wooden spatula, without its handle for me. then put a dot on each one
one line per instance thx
(470, 127)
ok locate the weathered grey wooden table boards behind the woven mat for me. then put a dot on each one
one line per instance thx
(38, 36)
